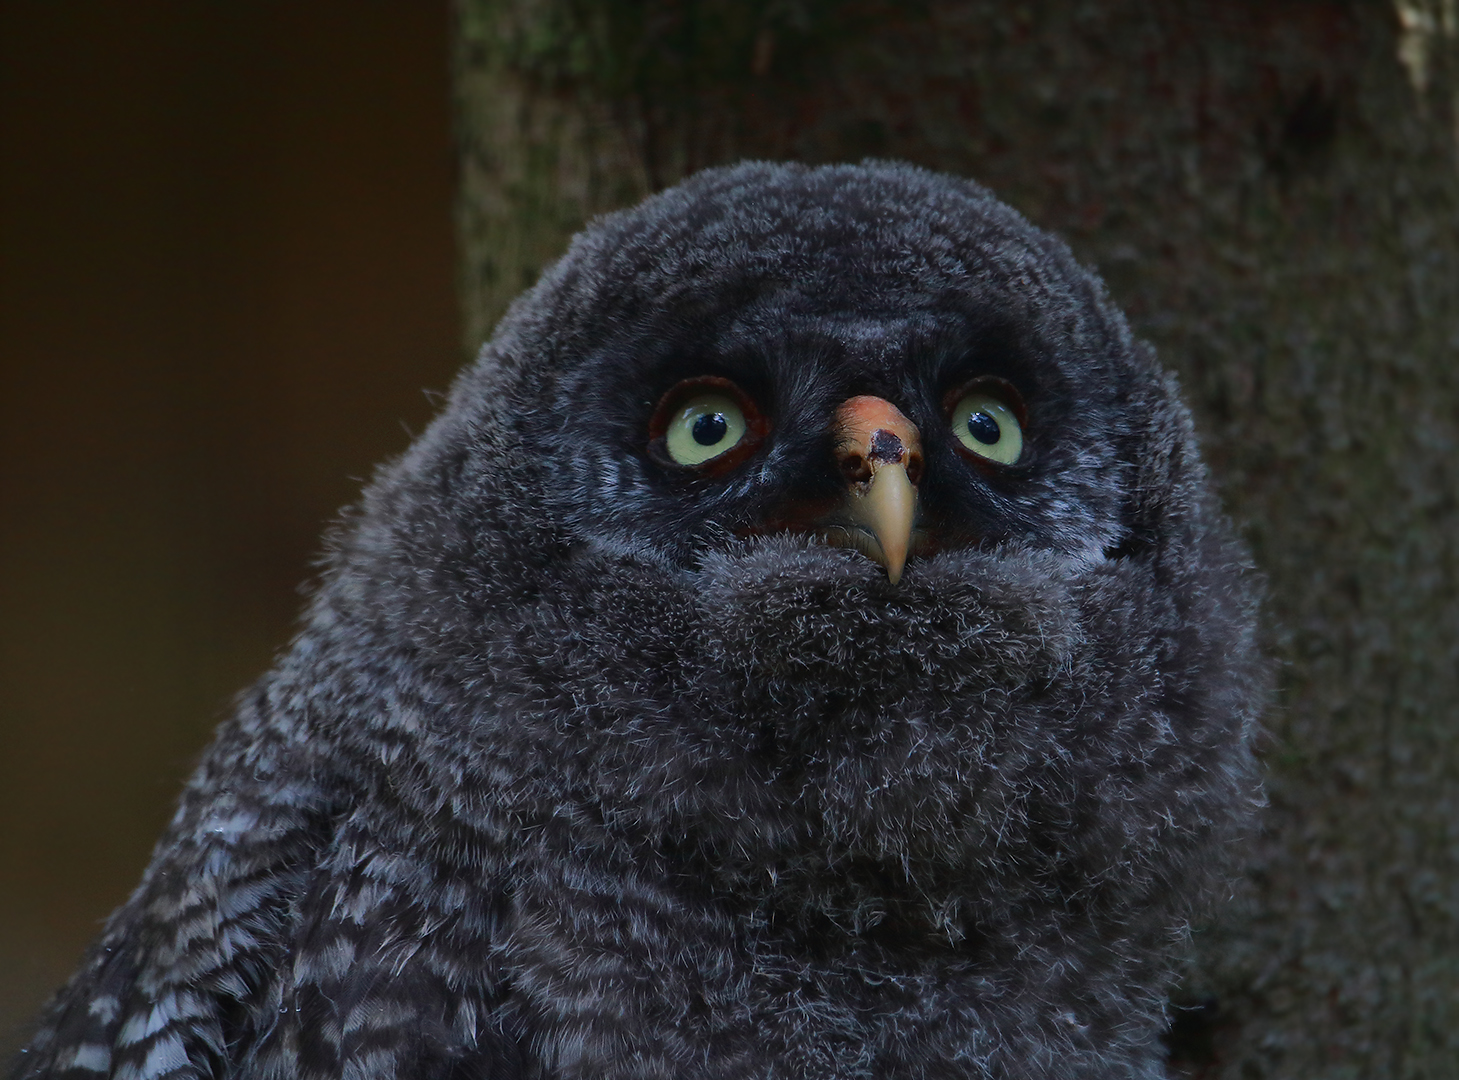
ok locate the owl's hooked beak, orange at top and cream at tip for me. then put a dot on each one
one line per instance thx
(879, 453)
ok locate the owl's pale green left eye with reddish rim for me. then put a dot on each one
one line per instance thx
(705, 424)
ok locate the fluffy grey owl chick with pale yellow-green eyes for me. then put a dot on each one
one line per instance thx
(805, 646)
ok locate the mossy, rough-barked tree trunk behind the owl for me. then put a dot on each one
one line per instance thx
(1270, 192)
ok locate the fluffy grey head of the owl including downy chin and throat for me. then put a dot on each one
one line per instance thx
(828, 528)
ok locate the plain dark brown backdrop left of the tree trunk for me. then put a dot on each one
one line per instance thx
(227, 277)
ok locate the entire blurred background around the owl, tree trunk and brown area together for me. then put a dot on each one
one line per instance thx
(231, 247)
